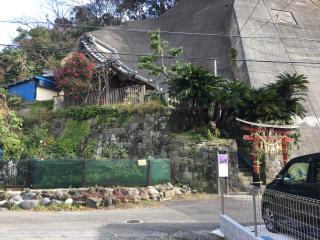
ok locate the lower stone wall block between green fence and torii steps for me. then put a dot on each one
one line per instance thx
(196, 163)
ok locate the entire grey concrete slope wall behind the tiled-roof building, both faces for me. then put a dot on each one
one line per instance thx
(270, 30)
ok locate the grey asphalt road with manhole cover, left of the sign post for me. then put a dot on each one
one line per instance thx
(182, 220)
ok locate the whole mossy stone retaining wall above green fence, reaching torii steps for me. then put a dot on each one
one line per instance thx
(160, 135)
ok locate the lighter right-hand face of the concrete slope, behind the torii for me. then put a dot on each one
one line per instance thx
(283, 31)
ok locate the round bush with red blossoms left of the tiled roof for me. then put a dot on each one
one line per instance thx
(76, 76)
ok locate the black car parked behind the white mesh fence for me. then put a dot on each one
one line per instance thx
(291, 202)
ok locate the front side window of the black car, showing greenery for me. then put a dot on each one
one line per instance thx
(297, 173)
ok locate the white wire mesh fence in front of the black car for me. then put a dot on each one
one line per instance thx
(270, 214)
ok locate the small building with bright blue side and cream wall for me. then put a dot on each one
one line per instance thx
(38, 88)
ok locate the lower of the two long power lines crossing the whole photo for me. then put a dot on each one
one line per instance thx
(167, 57)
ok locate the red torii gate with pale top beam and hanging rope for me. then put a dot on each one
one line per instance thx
(270, 134)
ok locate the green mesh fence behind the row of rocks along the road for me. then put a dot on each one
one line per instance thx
(77, 173)
